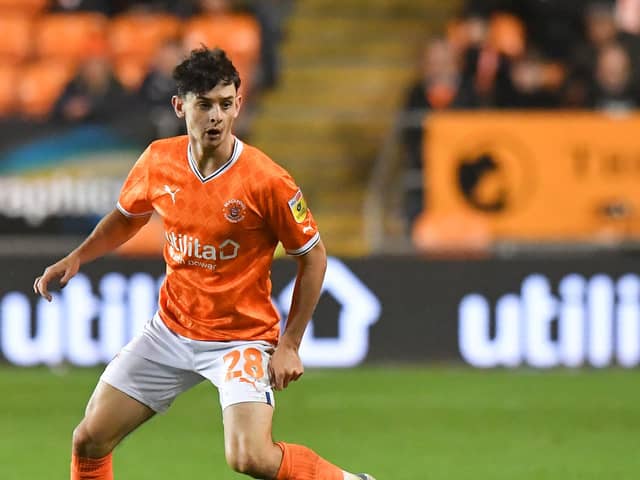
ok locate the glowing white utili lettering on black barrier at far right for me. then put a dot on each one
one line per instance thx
(593, 321)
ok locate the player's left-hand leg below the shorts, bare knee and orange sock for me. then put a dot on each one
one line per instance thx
(109, 417)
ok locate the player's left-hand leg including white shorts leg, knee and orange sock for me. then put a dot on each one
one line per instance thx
(143, 379)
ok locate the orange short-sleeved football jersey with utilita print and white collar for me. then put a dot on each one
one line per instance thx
(221, 232)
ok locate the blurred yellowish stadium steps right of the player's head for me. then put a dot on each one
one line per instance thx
(346, 65)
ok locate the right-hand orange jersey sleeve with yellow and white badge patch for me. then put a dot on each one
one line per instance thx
(289, 217)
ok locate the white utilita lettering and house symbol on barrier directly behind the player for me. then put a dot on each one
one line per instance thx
(86, 326)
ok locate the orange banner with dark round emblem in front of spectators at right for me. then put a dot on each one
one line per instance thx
(561, 176)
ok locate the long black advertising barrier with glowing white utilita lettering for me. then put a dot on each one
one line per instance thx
(538, 313)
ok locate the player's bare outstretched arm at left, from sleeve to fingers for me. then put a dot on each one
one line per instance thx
(112, 231)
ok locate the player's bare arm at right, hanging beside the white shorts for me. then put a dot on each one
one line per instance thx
(285, 365)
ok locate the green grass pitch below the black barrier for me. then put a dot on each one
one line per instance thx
(398, 423)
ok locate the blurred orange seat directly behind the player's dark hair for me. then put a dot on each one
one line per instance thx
(238, 35)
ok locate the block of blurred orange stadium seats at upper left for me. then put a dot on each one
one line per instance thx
(63, 39)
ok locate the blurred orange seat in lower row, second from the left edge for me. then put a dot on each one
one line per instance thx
(41, 83)
